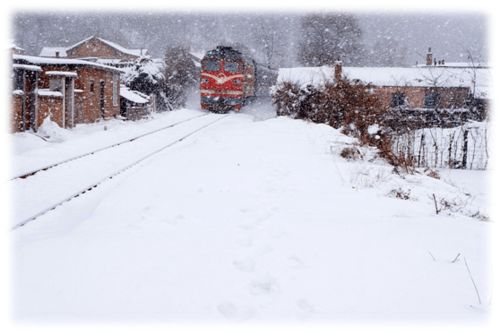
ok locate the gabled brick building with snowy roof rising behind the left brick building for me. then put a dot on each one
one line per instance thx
(96, 49)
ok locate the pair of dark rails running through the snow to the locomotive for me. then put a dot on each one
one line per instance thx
(110, 175)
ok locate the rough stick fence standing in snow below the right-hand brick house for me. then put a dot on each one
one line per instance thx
(464, 147)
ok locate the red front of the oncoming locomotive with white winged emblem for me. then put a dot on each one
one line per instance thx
(227, 80)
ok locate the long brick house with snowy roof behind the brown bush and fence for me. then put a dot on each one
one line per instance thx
(433, 94)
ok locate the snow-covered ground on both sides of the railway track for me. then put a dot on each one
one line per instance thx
(252, 219)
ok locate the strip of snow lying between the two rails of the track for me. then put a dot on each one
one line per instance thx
(97, 167)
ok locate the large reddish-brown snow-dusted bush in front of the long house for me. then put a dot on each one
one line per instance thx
(348, 105)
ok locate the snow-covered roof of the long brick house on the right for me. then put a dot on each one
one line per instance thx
(391, 76)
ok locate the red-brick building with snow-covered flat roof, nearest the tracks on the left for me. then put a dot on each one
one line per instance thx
(71, 91)
